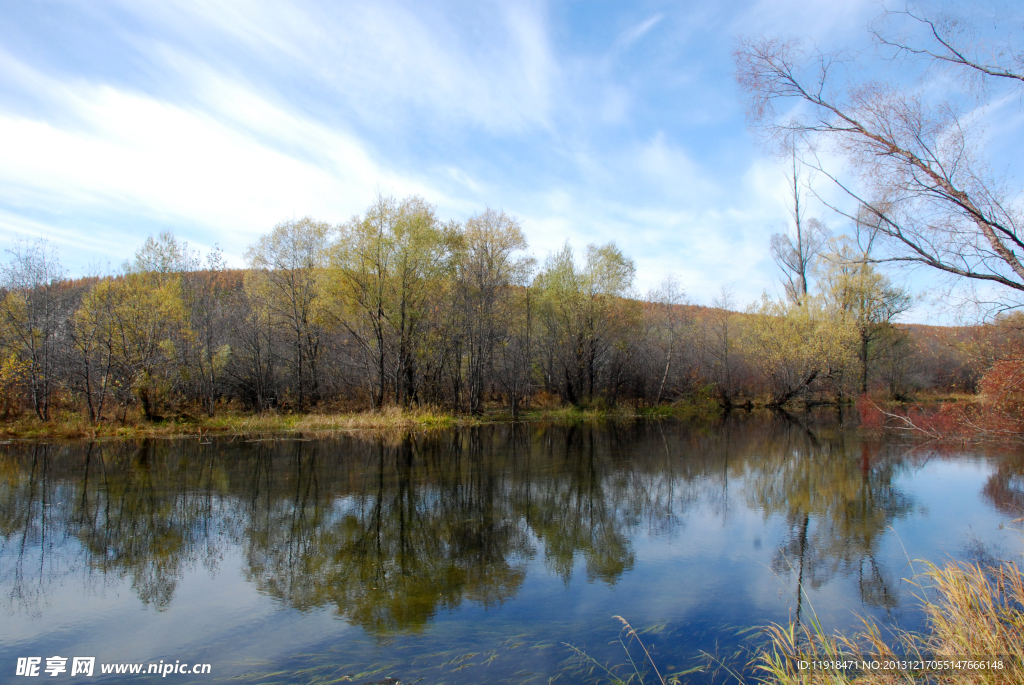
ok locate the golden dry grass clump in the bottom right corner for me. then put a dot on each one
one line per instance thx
(974, 614)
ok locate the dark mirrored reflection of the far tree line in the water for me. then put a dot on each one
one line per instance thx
(388, 533)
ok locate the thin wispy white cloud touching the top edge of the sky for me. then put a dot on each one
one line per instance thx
(386, 60)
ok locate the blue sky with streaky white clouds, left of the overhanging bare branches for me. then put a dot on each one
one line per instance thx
(589, 121)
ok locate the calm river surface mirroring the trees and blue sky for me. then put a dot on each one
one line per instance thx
(473, 556)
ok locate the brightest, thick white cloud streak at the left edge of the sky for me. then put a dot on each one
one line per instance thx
(236, 169)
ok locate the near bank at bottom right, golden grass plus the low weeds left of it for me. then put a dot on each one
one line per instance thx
(975, 634)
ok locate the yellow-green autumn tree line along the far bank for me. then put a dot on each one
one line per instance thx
(399, 308)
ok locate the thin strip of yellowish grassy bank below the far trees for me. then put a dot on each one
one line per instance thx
(74, 426)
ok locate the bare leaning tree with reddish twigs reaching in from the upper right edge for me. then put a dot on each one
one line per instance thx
(919, 167)
